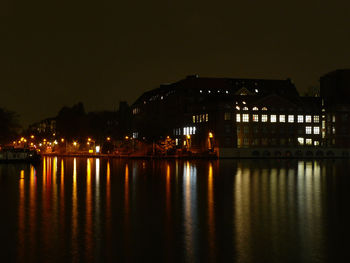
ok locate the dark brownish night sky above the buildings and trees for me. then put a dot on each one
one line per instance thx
(55, 53)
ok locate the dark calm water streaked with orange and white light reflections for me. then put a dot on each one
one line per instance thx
(95, 210)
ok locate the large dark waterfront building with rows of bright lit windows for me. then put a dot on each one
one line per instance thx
(223, 114)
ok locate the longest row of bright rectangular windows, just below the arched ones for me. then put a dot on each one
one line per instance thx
(275, 118)
